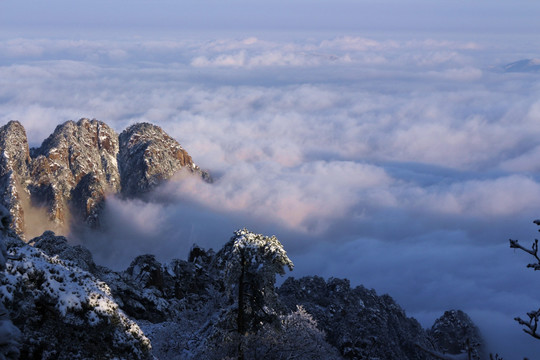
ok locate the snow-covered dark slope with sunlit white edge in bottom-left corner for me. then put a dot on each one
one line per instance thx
(63, 311)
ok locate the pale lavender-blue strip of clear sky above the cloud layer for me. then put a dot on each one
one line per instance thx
(350, 15)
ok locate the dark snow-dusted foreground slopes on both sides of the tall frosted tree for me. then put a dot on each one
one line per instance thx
(67, 307)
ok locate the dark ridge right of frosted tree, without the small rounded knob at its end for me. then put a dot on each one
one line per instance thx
(358, 322)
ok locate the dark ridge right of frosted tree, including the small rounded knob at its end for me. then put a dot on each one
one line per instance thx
(363, 325)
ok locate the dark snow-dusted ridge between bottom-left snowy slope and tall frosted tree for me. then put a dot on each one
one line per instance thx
(147, 289)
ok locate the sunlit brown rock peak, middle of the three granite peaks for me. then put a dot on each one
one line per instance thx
(74, 168)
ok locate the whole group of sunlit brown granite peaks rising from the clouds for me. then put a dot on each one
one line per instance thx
(69, 176)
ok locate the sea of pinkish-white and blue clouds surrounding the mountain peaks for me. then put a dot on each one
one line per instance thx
(401, 163)
